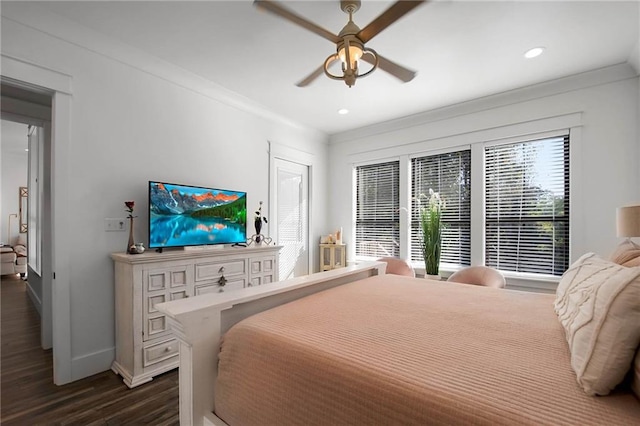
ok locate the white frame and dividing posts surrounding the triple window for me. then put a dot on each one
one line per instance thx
(476, 140)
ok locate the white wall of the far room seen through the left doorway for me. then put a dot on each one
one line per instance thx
(13, 175)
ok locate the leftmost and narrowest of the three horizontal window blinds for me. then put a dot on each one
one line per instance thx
(377, 209)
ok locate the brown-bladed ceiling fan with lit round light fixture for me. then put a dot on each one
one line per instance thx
(350, 42)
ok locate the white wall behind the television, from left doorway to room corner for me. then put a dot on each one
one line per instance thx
(131, 124)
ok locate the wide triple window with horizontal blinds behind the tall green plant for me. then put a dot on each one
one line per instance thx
(520, 204)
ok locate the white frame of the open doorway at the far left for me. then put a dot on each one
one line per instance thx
(56, 286)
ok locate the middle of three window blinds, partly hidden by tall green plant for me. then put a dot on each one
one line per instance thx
(450, 175)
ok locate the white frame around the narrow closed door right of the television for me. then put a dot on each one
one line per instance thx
(282, 152)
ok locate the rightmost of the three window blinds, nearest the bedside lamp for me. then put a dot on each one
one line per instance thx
(527, 206)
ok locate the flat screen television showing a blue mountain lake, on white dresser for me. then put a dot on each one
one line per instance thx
(183, 215)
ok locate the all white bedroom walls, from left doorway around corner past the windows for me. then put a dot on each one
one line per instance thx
(134, 118)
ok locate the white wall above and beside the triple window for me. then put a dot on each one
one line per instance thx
(606, 173)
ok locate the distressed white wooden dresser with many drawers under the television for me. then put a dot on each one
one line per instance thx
(145, 347)
